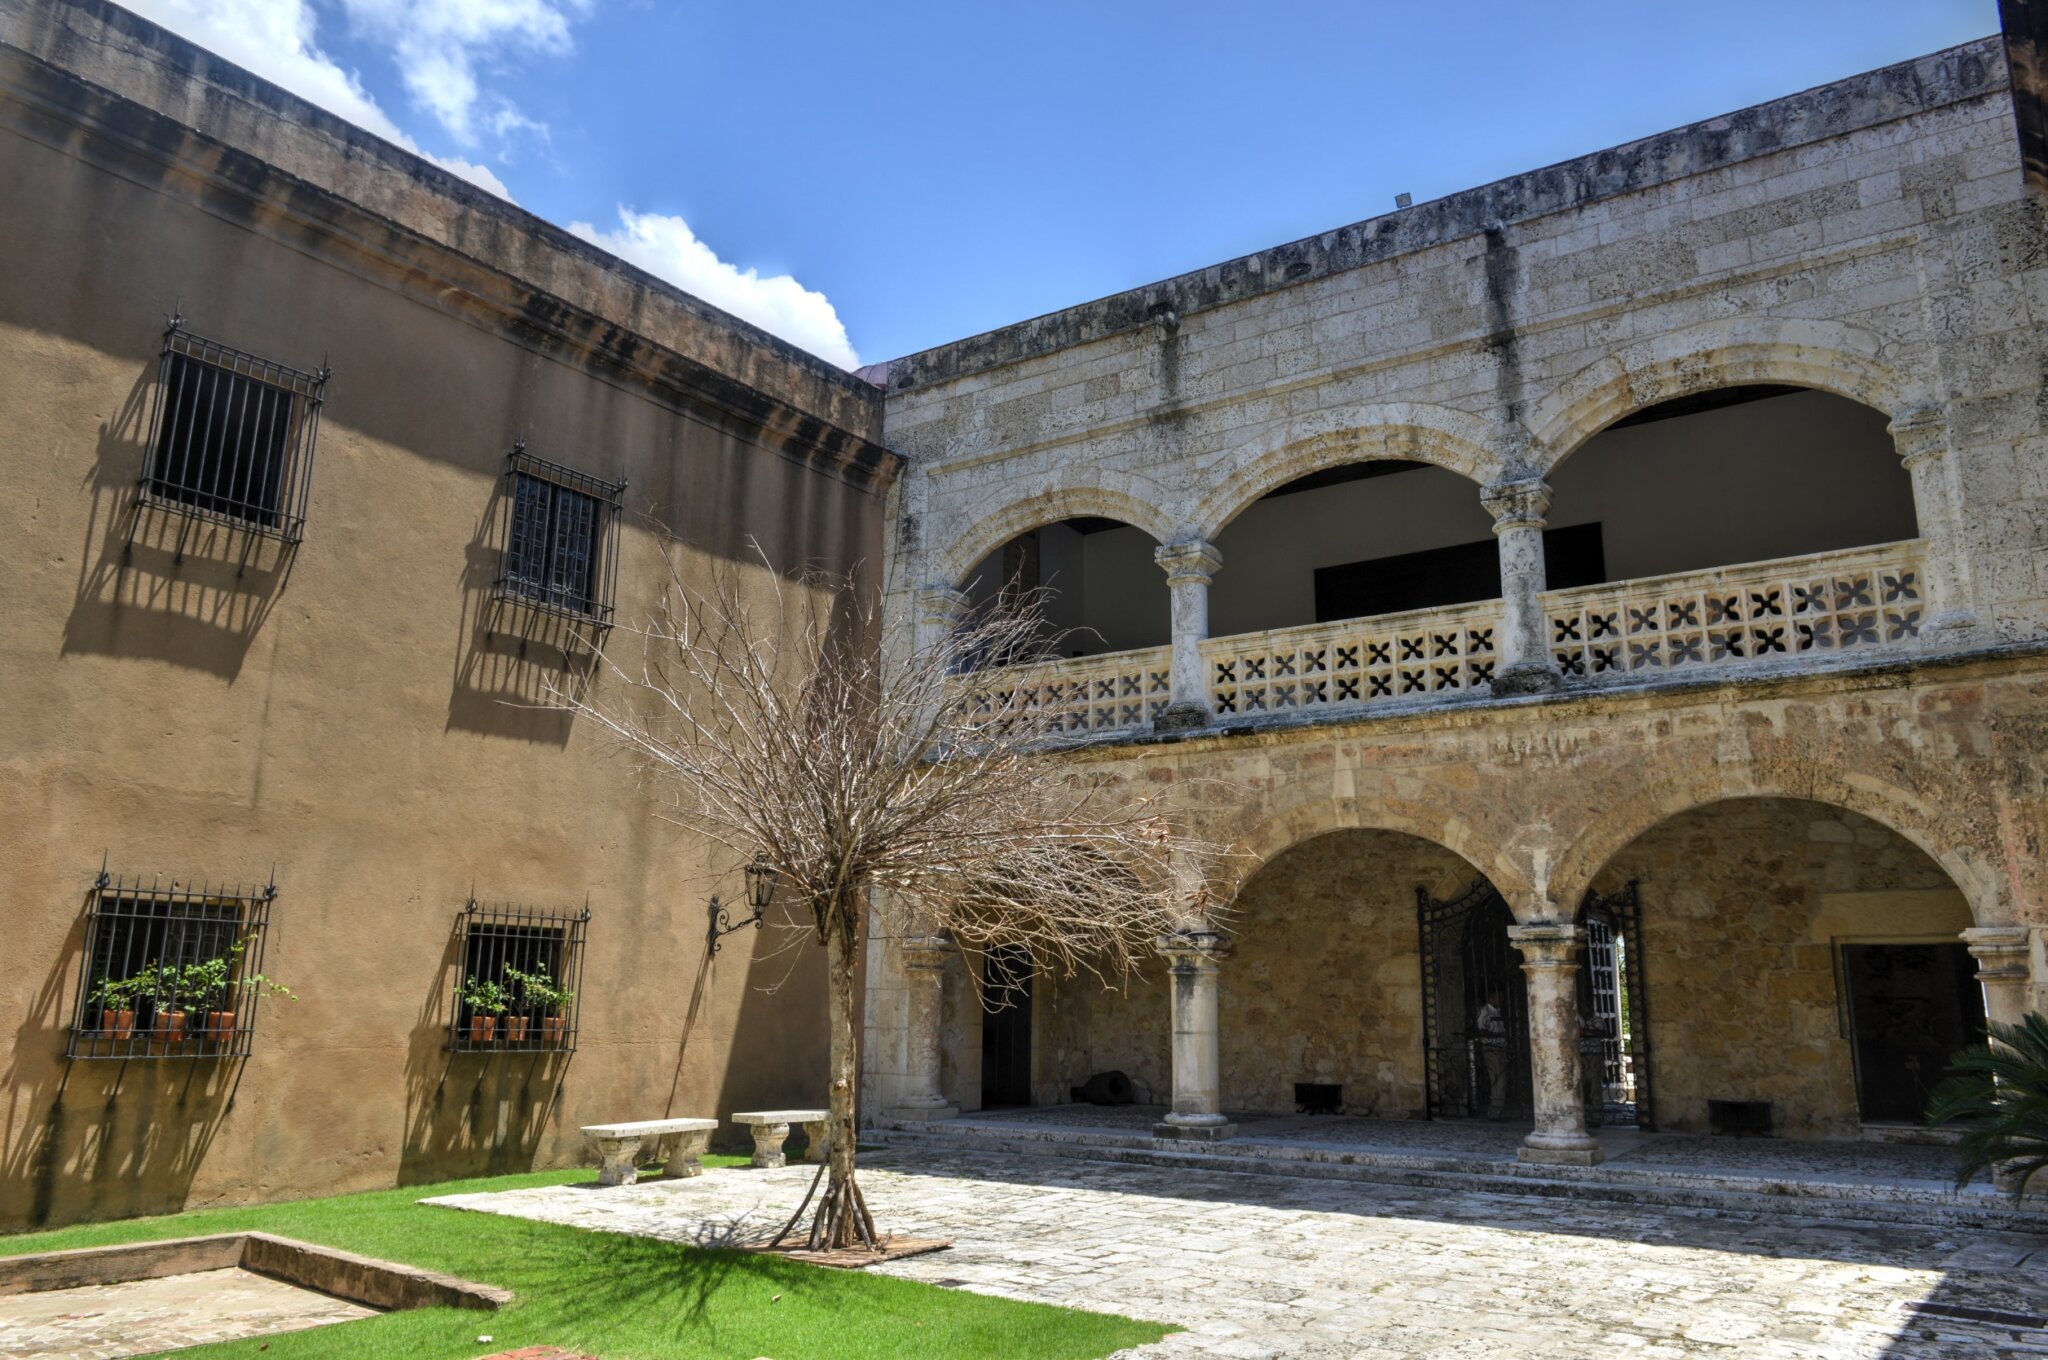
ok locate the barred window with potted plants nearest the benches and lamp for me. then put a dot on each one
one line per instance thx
(497, 945)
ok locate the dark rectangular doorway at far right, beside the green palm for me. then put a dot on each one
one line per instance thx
(1912, 1009)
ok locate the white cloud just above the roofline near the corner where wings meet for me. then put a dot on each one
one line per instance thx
(667, 247)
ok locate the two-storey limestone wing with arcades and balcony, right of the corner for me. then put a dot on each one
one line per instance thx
(1605, 609)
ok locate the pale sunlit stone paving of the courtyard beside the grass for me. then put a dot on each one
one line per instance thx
(1291, 1267)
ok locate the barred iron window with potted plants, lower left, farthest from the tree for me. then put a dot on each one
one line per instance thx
(144, 986)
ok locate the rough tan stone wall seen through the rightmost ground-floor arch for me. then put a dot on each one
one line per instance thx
(1744, 908)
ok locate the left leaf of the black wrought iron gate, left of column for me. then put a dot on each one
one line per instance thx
(1476, 1068)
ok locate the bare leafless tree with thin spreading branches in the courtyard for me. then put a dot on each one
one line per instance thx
(781, 720)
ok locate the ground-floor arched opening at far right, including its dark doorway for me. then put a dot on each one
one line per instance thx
(1805, 968)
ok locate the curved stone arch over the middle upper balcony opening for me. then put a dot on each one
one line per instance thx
(1414, 431)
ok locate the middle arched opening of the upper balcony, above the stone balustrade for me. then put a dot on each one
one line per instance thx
(1355, 542)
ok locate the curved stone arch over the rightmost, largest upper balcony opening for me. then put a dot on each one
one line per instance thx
(1824, 355)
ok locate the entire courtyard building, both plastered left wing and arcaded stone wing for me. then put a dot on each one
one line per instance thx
(1605, 609)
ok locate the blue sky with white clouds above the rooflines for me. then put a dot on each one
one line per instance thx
(878, 179)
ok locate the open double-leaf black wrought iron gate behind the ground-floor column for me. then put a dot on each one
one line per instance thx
(1467, 958)
